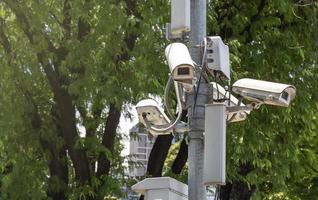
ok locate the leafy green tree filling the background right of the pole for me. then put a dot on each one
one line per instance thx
(272, 154)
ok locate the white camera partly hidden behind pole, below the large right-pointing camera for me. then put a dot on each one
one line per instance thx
(219, 93)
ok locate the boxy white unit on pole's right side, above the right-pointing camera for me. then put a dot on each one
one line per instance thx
(218, 58)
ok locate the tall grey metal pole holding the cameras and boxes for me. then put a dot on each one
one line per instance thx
(196, 119)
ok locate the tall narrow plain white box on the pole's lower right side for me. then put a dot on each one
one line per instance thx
(215, 144)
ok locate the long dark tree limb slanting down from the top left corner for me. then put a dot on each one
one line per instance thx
(62, 97)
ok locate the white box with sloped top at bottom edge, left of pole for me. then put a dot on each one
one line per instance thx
(161, 188)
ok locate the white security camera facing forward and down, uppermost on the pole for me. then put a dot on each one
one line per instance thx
(180, 64)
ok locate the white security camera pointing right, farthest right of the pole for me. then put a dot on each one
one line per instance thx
(266, 92)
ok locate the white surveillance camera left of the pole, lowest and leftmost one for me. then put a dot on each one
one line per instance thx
(151, 110)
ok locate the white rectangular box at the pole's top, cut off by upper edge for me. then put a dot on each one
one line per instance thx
(180, 16)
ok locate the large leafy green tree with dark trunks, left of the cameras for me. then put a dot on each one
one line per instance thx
(69, 66)
